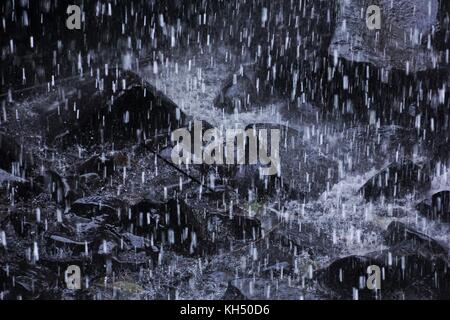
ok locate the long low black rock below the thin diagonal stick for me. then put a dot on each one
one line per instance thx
(170, 224)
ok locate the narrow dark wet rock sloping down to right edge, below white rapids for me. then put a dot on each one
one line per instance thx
(398, 232)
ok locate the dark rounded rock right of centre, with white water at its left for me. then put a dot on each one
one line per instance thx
(397, 180)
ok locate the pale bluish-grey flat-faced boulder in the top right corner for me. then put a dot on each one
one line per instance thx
(387, 47)
